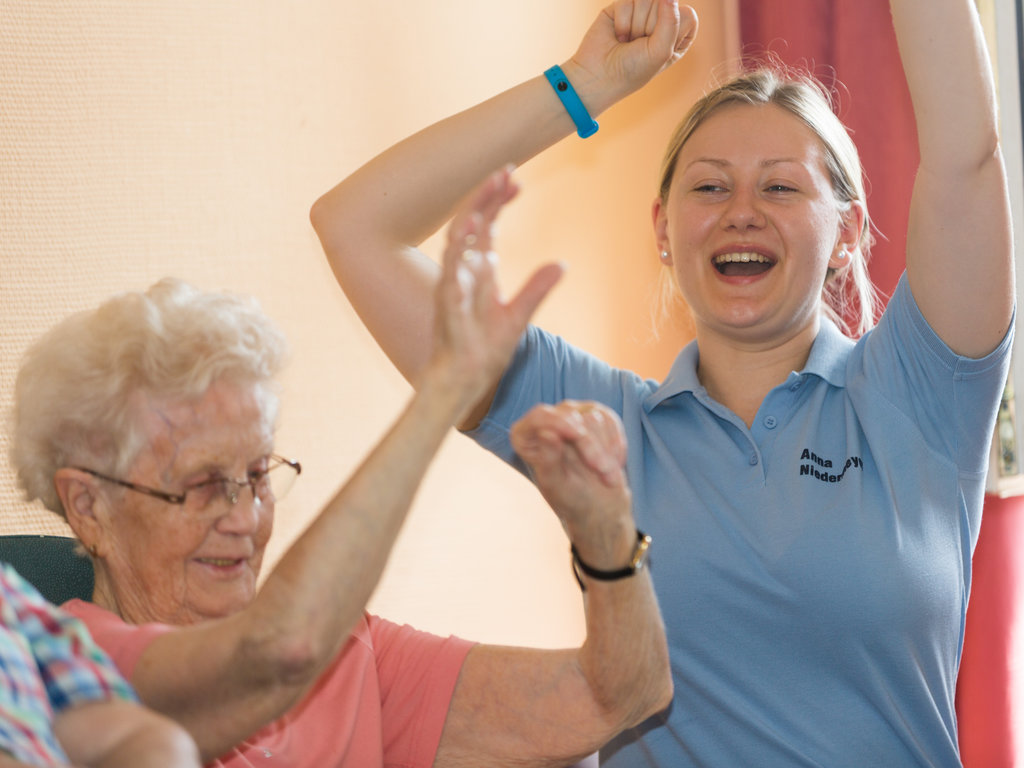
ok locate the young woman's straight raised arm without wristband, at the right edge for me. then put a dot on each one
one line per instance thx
(960, 261)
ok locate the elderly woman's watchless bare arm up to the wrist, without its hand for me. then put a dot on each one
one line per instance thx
(226, 679)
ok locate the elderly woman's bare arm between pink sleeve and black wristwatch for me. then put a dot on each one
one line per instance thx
(517, 707)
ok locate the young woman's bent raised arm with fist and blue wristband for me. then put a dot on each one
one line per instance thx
(372, 223)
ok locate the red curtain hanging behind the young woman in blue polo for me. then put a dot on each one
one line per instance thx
(851, 42)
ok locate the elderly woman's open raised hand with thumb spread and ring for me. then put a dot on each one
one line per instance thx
(476, 330)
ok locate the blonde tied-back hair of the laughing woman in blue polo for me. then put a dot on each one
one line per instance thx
(846, 292)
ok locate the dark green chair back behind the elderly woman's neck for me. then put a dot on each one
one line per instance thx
(51, 565)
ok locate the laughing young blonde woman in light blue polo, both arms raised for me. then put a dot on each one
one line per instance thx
(817, 499)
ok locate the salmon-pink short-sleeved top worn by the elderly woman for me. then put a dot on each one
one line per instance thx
(381, 703)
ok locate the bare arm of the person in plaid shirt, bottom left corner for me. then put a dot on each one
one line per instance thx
(122, 735)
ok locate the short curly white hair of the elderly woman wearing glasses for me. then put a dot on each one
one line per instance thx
(77, 390)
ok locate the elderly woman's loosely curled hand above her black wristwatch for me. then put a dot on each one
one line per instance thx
(577, 454)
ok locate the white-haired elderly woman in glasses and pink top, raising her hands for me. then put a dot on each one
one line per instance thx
(149, 423)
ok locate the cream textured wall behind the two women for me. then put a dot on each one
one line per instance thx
(190, 139)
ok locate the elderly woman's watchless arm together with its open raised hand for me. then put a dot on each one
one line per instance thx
(228, 678)
